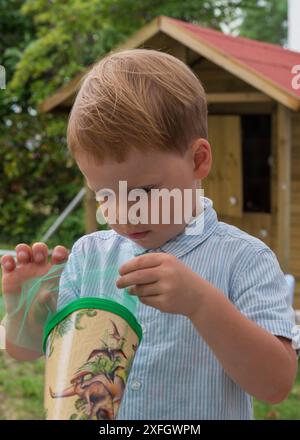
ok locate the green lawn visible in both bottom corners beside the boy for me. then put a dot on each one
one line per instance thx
(21, 392)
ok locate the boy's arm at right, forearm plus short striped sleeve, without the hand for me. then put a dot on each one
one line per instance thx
(264, 365)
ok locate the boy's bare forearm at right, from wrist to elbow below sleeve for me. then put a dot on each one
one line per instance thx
(262, 364)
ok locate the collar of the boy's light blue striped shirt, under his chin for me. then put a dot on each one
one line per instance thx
(194, 233)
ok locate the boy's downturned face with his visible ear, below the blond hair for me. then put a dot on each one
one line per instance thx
(146, 170)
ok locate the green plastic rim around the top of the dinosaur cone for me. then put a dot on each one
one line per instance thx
(92, 303)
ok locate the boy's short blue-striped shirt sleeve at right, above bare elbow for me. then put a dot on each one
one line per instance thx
(261, 292)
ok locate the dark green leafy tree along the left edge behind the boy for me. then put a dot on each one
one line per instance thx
(35, 170)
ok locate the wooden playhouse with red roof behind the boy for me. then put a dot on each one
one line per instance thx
(253, 94)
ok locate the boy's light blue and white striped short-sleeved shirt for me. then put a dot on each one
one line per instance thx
(175, 375)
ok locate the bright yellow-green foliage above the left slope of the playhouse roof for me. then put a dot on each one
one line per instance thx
(70, 35)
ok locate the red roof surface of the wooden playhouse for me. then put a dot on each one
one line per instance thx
(269, 60)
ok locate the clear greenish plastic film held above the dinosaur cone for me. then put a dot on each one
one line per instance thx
(29, 305)
